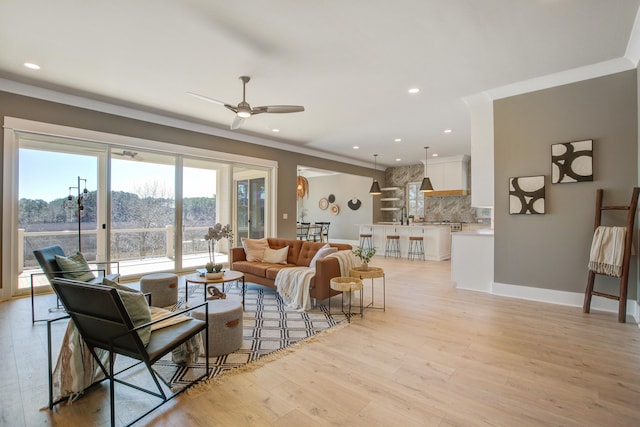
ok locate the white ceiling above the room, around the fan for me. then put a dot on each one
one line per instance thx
(349, 62)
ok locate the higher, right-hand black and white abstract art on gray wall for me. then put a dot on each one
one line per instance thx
(572, 162)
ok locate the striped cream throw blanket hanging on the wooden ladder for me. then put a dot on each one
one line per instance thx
(607, 250)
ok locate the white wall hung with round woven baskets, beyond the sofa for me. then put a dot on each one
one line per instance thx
(344, 225)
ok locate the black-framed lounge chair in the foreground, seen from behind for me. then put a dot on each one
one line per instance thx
(103, 323)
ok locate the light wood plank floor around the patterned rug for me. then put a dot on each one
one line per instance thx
(437, 356)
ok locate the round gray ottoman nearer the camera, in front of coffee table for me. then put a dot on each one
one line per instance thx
(225, 325)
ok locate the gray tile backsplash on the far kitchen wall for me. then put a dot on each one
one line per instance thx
(437, 208)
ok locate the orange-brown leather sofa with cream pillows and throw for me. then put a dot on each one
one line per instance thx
(300, 254)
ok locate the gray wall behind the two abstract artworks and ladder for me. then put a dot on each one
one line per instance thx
(551, 251)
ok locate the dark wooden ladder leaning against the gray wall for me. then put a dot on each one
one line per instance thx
(624, 277)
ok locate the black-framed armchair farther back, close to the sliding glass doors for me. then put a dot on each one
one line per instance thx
(46, 257)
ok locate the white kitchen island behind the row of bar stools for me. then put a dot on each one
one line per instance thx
(437, 238)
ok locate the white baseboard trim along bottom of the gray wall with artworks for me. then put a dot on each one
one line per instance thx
(573, 299)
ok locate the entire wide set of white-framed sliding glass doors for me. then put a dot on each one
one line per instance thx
(146, 208)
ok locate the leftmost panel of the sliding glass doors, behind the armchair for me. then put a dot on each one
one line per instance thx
(59, 200)
